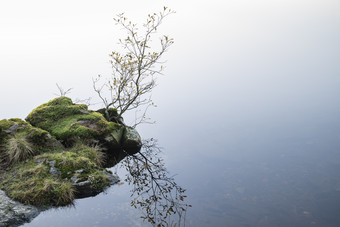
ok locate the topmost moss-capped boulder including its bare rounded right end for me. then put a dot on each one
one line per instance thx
(70, 122)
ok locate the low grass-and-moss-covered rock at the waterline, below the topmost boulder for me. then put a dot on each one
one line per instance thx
(57, 177)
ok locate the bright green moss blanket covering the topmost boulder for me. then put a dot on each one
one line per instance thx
(70, 122)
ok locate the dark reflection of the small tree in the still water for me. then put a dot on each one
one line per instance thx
(154, 191)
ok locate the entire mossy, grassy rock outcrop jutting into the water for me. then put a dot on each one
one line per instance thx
(58, 154)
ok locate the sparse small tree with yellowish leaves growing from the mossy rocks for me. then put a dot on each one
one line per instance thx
(134, 68)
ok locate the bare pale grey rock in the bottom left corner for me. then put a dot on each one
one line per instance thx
(13, 213)
